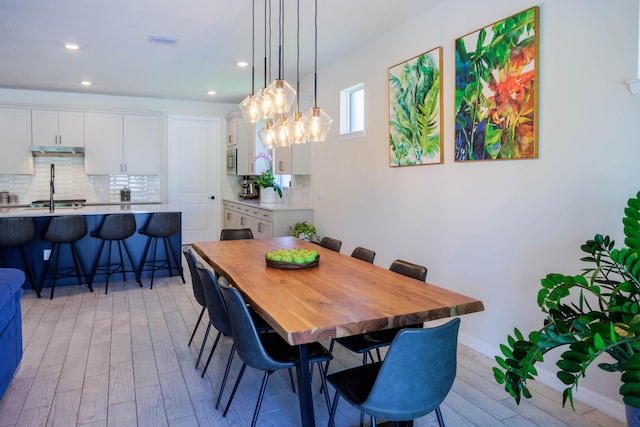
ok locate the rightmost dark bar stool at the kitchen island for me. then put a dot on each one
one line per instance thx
(161, 225)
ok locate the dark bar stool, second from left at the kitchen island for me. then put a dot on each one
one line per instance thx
(64, 230)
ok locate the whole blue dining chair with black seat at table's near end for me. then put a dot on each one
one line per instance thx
(412, 381)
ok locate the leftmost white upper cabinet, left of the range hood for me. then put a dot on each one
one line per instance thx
(15, 139)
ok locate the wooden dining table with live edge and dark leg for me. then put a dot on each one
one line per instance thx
(341, 296)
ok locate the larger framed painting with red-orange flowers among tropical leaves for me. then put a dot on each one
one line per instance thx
(496, 90)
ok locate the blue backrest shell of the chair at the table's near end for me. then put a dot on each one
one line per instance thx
(416, 374)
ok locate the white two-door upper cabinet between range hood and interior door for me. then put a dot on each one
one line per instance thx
(121, 144)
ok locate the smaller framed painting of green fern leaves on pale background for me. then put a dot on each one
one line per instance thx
(415, 110)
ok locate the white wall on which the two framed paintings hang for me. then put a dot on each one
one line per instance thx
(493, 229)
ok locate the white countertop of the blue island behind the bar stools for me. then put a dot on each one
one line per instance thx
(89, 209)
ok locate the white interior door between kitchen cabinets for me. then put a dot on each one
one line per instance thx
(194, 176)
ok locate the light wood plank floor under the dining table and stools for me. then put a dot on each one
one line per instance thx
(122, 359)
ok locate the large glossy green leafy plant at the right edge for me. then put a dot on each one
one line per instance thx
(589, 314)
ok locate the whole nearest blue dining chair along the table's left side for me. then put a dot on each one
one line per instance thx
(266, 352)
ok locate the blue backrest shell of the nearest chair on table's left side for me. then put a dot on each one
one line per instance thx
(245, 337)
